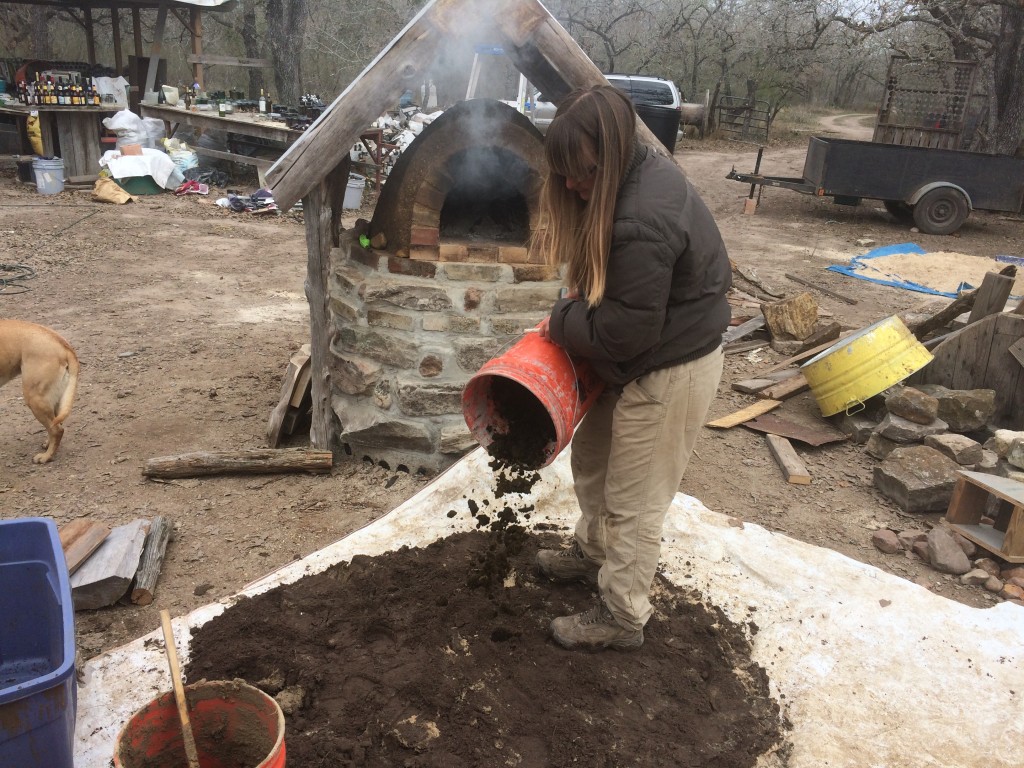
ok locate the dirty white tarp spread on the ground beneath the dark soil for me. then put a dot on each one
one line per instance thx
(871, 670)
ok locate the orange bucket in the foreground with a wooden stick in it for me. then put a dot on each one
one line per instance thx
(236, 727)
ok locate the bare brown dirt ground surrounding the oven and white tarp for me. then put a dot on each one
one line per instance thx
(185, 316)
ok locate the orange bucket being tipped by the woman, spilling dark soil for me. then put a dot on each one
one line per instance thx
(524, 405)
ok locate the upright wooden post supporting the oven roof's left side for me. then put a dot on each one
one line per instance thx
(322, 209)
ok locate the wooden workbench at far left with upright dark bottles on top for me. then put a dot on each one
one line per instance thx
(69, 133)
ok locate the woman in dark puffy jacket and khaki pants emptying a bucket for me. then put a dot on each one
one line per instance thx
(648, 274)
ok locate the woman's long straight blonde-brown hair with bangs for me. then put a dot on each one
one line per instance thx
(593, 127)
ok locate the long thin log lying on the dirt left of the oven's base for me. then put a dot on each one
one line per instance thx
(255, 461)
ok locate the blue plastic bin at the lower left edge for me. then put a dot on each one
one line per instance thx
(38, 691)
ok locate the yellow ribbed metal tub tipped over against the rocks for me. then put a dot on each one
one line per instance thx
(864, 365)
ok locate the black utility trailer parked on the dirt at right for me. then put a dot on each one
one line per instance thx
(934, 189)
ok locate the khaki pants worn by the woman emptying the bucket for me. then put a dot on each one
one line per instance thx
(629, 456)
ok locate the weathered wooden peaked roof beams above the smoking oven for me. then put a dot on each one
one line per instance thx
(531, 37)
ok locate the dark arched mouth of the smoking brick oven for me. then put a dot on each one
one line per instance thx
(487, 201)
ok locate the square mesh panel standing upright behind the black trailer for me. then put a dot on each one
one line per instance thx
(926, 104)
